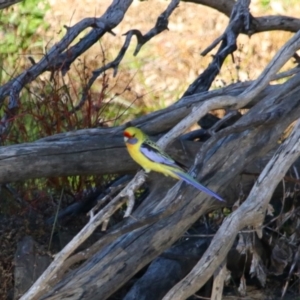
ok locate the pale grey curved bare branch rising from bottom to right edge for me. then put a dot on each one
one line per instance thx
(250, 213)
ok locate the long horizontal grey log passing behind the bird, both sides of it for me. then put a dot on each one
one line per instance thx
(102, 151)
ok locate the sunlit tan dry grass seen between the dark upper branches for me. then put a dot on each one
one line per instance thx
(171, 61)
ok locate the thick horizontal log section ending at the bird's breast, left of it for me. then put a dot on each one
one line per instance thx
(100, 154)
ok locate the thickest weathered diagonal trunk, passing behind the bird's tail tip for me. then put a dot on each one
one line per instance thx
(110, 268)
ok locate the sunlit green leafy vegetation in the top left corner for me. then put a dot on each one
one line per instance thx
(21, 28)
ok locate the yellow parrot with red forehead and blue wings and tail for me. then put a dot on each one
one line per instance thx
(151, 158)
